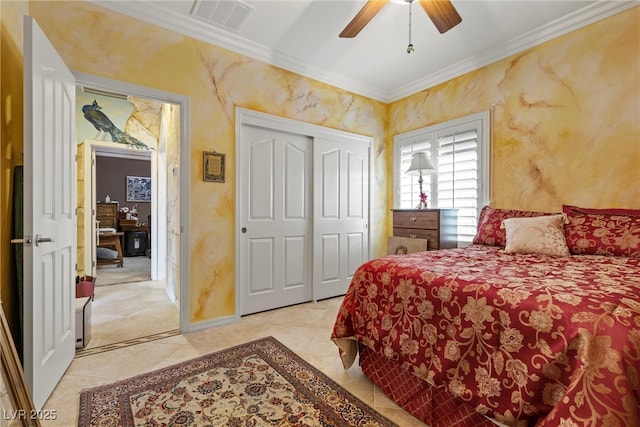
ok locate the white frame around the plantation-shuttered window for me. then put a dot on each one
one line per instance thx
(480, 122)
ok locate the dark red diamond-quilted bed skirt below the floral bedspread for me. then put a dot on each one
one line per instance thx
(435, 407)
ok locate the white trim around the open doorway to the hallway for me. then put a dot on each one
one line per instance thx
(183, 101)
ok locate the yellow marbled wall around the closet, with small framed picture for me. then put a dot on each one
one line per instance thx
(96, 41)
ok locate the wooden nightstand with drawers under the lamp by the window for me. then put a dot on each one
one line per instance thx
(439, 226)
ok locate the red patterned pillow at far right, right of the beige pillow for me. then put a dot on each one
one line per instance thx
(612, 232)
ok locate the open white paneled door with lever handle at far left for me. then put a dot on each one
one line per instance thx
(49, 214)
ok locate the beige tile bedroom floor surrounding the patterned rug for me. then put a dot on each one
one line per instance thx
(304, 328)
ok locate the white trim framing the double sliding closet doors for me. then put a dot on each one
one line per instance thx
(255, 118)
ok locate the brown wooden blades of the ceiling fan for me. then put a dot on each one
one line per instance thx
(441, 12)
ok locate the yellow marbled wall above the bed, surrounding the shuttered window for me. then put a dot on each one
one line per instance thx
(567, 118)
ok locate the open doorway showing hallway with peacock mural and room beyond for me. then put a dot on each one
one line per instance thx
(138, 295)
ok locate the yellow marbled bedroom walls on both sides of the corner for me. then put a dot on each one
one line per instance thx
(566, 119)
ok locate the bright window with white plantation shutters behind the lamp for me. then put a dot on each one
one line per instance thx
(460, 151)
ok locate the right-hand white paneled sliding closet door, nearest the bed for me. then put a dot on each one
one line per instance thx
(340, 212)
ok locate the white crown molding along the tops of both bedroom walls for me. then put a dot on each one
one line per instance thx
(146, 11)
